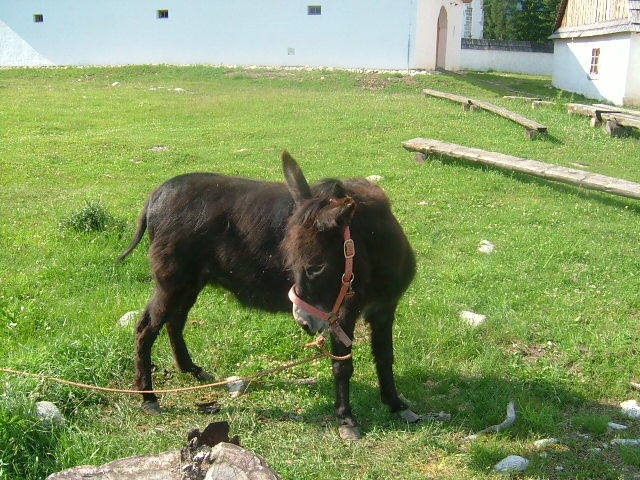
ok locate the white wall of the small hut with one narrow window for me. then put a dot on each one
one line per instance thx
(572, 62)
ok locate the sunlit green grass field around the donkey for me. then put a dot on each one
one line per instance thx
(561, 292)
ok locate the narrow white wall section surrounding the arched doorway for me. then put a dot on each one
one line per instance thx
(424, 48)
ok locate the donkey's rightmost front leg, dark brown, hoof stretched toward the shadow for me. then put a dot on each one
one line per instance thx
(381, 322)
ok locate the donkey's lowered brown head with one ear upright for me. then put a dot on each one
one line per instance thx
(313, 245)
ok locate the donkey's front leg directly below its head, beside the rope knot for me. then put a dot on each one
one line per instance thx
(342, 371)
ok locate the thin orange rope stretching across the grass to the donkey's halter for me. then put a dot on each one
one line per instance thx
(319, 343)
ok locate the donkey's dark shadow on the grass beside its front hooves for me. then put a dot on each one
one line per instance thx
(544, 409)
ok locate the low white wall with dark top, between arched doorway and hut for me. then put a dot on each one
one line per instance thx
(534, 63)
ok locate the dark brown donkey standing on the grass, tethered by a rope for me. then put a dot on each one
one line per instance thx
(256, 239)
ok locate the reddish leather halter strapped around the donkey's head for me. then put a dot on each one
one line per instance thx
(349, 251)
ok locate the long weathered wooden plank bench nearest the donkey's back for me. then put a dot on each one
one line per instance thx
(581, 178)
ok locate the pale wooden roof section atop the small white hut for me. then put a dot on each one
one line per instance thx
(587, 18)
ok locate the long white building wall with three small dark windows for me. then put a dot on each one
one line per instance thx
(356, 33)
